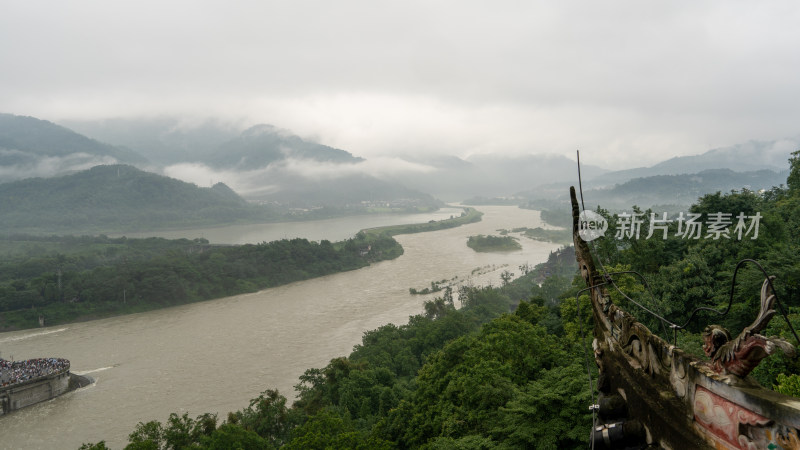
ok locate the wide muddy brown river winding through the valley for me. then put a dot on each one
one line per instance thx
(215, 356)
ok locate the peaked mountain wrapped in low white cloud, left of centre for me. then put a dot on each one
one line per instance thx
(272, 165)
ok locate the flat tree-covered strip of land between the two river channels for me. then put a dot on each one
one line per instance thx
(55, 280)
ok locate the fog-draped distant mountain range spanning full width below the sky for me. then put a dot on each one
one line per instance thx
(268, 165)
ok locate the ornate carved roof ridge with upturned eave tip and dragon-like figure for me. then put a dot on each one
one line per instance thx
(655, 395)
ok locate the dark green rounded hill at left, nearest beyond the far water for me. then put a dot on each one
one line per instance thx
(117, 198)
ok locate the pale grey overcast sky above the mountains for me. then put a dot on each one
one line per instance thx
(629, 83)
